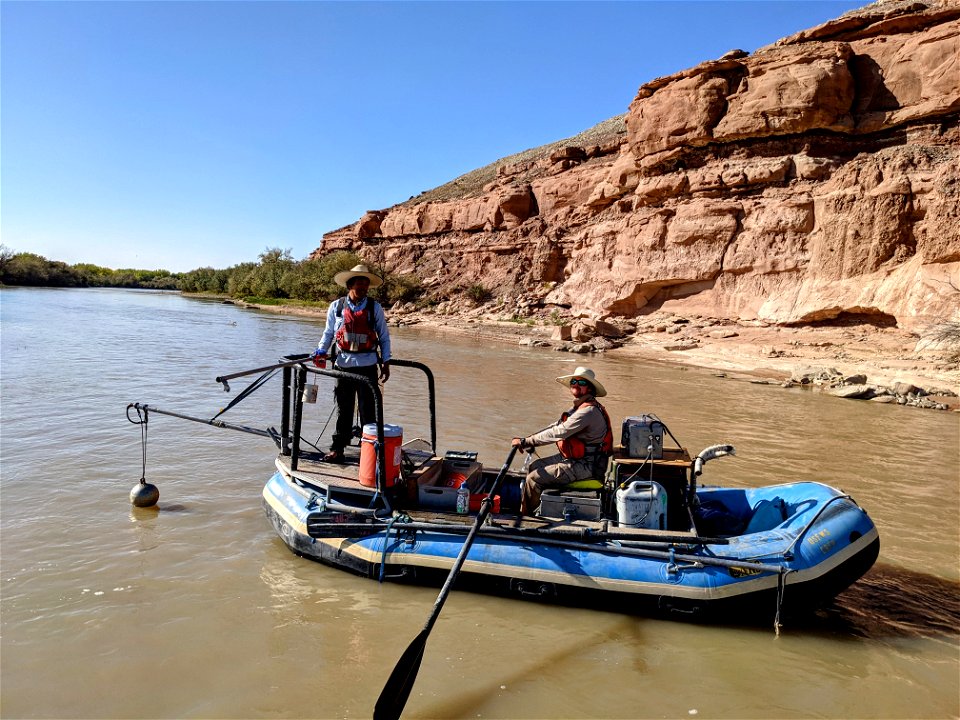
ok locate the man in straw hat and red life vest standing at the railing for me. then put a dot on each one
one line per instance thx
(357, 328)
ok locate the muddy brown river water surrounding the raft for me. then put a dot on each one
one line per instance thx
(195, 609)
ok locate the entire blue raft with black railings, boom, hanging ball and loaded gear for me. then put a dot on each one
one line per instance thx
(646, 531)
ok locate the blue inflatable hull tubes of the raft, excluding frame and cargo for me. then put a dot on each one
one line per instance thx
(746, 552)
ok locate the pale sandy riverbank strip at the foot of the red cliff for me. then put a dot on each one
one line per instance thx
(884, 357)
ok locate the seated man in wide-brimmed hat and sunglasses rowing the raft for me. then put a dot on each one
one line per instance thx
(584, 438)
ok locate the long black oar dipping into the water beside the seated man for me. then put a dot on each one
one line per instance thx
(394, 695)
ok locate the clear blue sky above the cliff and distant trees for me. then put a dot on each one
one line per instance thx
(179, 135)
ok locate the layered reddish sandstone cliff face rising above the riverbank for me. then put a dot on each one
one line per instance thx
(813, 179)
